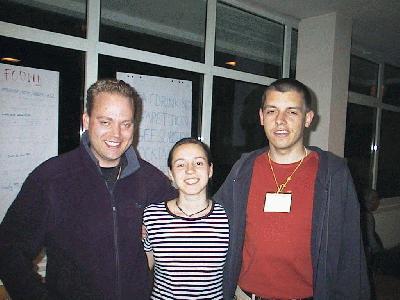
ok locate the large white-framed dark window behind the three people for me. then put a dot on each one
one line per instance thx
(160, 38)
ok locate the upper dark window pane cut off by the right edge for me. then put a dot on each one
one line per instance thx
(391, 89)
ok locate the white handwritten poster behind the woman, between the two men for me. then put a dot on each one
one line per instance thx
(167, 114)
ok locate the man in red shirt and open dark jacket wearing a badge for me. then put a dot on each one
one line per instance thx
(293, 212)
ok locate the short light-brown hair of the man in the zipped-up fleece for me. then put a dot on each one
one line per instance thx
(113, 86)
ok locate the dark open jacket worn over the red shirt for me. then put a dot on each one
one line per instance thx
(338, 260)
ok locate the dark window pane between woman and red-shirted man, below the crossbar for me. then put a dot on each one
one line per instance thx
(235, 126)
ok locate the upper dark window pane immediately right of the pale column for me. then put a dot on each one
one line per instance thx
(363, 76)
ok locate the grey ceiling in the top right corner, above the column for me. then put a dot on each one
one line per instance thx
(376, 23)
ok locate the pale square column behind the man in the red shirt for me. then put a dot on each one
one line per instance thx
(323, 62)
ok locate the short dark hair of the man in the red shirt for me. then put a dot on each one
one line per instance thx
(284, 85)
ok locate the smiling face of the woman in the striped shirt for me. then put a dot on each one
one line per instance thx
(190, 169)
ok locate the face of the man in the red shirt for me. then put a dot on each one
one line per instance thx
(284, 118)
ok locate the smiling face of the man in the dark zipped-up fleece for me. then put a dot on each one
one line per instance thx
(110, 127)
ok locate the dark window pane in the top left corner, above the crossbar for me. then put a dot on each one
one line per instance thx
(56, 16)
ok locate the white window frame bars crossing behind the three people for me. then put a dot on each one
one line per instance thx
(93, 47)
